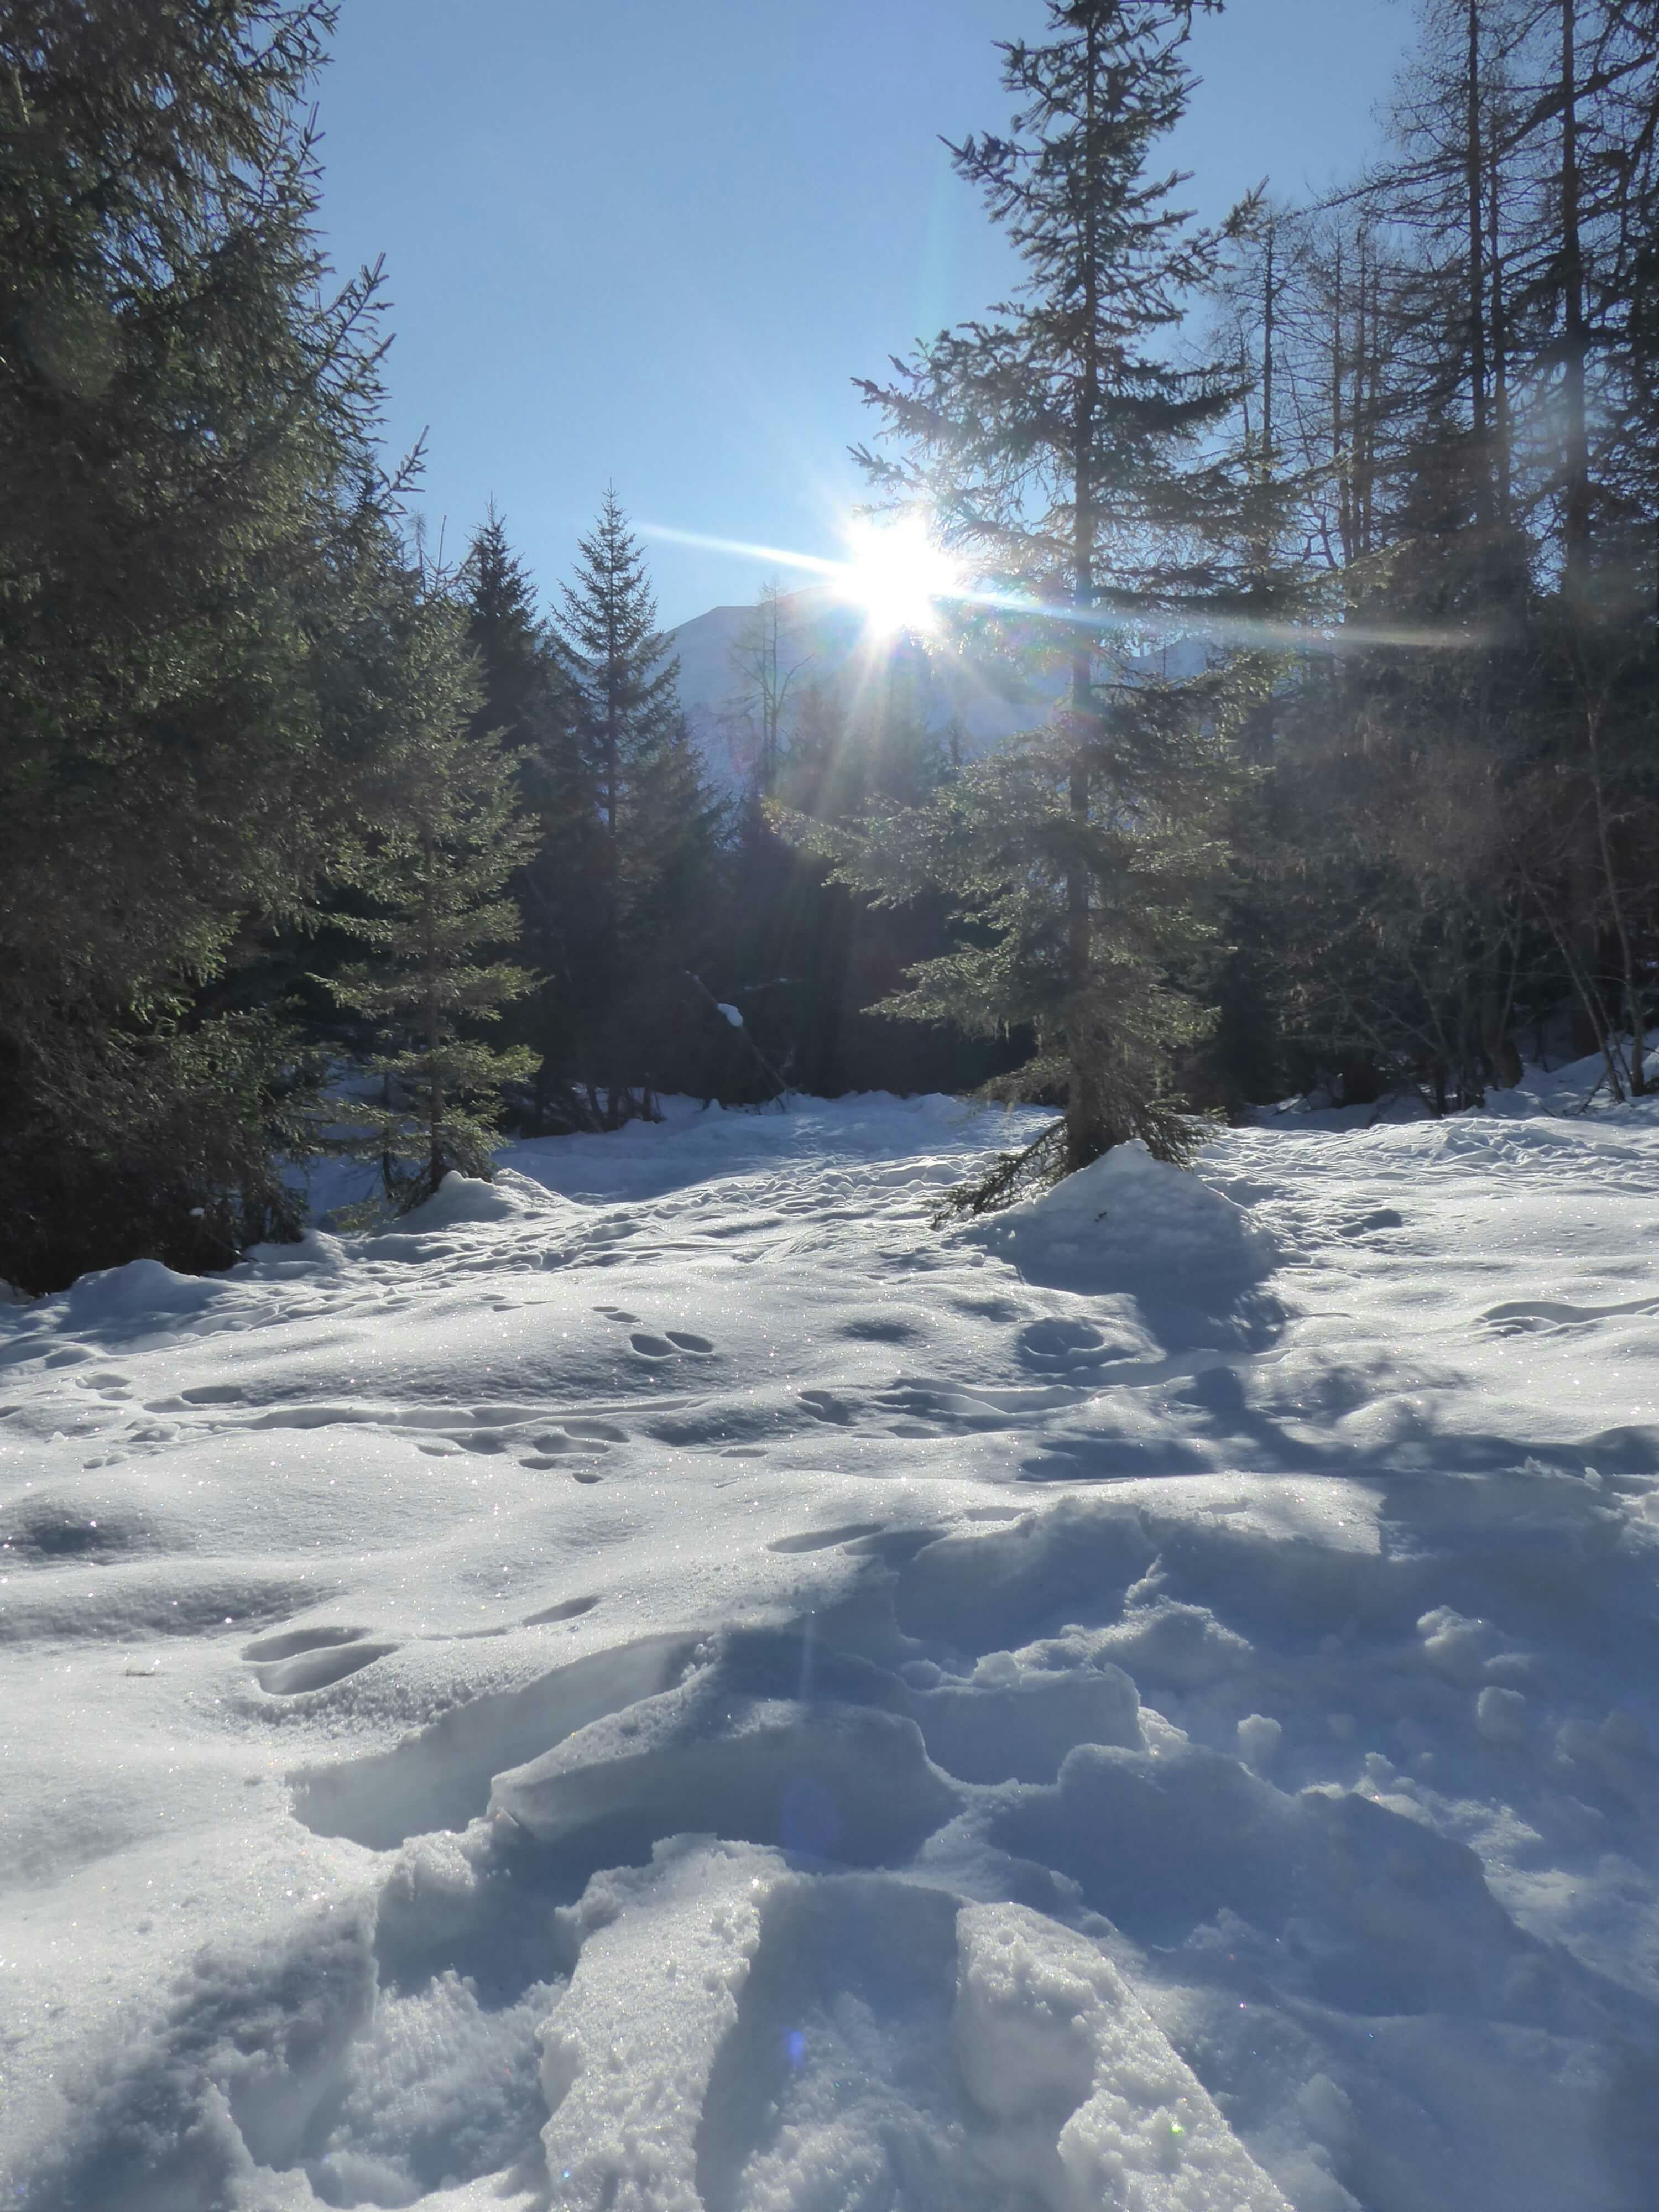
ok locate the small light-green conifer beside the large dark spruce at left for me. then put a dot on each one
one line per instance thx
(437, 884)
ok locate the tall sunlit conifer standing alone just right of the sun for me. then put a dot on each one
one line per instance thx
(1061, 448)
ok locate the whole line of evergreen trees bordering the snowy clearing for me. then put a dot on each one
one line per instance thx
(1333, 532)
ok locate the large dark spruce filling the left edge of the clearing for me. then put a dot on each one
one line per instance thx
(187, 432)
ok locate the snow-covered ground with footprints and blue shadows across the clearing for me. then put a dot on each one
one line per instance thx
(669, 1684)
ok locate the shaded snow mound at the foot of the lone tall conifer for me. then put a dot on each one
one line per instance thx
(1131, 1222)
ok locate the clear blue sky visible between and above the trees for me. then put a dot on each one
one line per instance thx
(654, 242)
